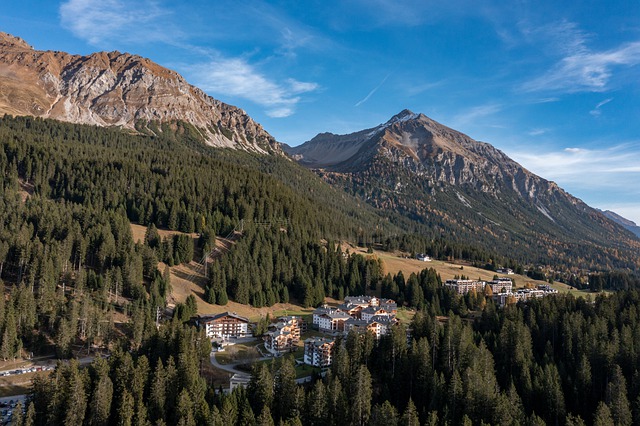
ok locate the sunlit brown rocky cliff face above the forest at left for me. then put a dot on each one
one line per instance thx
(117, 89)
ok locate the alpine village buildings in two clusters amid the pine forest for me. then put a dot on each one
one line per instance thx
(362, 314)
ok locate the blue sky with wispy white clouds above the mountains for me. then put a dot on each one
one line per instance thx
(555, 85)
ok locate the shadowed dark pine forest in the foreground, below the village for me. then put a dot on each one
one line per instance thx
(557, 360)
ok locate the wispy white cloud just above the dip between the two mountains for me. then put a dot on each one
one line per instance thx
(236, 77)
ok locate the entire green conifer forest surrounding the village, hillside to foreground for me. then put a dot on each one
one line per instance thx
(74, 277)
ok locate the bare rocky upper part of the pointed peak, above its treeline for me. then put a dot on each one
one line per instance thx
(426, 150)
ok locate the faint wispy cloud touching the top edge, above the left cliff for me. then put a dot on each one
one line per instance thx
(99, 22)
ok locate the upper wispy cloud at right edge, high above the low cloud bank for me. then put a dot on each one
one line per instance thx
(580, 69)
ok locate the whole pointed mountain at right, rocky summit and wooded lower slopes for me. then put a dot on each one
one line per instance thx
(468, 191)
